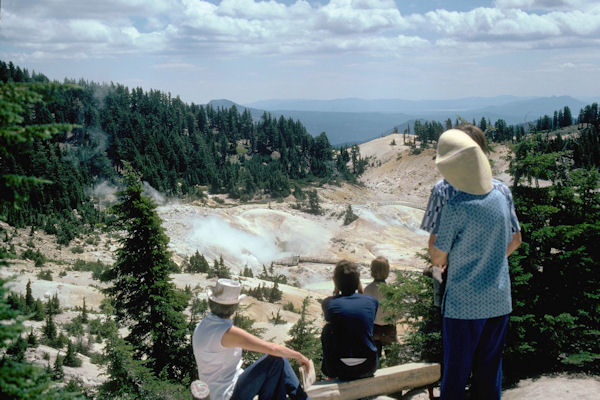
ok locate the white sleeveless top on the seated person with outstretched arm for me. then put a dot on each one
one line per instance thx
(218, 366)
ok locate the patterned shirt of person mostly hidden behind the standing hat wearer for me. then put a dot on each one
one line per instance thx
(443, 191)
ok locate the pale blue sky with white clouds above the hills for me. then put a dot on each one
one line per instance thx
(250, 50)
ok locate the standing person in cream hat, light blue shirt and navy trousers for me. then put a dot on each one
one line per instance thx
(474, 239)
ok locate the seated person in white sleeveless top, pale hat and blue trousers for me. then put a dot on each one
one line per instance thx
(218, 346)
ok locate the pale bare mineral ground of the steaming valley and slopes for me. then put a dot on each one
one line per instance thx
(389, 203)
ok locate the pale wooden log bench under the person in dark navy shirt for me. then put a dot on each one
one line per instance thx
(385, 381)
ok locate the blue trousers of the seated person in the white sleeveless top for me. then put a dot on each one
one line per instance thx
(271, 378)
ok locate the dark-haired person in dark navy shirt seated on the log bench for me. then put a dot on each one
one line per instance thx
(349, 351)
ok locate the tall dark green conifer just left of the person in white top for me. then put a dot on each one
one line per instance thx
(144, 296)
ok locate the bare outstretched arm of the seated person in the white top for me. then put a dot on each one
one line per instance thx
(236, 337)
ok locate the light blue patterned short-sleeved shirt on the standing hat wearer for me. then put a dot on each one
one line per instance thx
(475, 231)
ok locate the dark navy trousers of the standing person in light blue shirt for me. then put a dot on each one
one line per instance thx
(473, 347)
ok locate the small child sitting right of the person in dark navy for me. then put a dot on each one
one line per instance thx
(384, 333)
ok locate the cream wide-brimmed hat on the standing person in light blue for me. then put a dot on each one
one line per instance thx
(462, 162)
